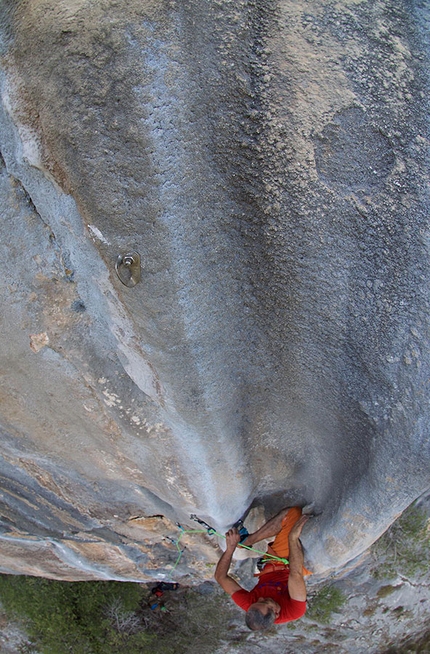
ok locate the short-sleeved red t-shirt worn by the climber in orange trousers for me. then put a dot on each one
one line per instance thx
(274, 585)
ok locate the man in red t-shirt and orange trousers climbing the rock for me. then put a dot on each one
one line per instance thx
(280, 594)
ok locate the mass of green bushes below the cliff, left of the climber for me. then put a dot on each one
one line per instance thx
(114, 617)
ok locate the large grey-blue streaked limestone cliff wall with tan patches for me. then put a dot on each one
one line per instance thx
(267, 161)
